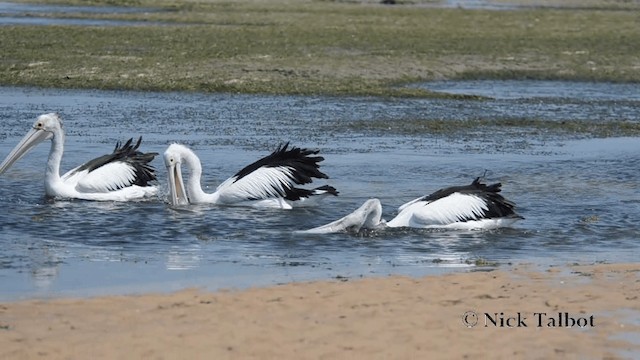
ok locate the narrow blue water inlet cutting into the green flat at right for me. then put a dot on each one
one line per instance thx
(545, 100)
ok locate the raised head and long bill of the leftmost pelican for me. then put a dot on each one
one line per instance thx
(45, 127)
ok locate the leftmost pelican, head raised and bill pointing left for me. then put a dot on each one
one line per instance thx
(121, 176)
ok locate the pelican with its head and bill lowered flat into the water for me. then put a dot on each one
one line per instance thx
(475, 206)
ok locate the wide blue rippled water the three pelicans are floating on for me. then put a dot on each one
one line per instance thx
(579, 196)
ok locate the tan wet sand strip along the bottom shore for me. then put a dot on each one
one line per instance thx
(380, 318)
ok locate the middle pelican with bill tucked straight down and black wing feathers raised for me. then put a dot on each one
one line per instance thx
(269, 182)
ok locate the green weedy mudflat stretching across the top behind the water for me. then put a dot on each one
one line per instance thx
(322, 47)
